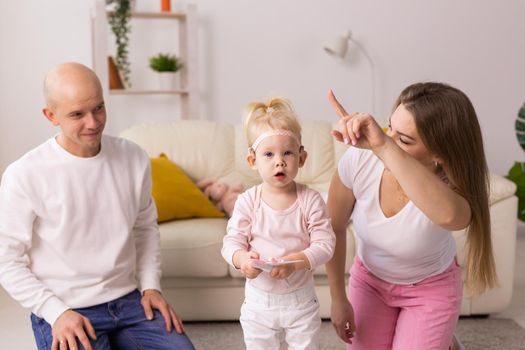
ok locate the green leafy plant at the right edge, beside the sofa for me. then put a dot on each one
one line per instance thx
(517, 172)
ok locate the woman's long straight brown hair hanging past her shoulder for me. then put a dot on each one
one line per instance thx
(449, 128)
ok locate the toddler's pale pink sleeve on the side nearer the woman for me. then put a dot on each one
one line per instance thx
(322, 237)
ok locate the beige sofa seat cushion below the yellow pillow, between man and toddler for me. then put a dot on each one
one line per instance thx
(192, 248)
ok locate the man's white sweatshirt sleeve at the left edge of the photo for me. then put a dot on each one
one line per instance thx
(17, 216)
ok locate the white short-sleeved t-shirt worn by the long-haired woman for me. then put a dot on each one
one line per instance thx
(404, 248)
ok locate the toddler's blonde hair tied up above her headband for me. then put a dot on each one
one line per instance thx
(276, 114)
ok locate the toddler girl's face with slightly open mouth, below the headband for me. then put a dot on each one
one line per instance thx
(278, 159)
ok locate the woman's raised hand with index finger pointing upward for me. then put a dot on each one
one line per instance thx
(359, 129)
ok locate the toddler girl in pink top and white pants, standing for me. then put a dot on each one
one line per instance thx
(278, 220)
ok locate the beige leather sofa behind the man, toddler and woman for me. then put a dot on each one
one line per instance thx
(198, 281)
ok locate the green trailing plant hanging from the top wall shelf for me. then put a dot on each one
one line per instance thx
(118, 19)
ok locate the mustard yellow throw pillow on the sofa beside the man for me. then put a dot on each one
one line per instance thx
(175, 194)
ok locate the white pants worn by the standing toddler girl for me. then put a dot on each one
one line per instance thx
(264, 316)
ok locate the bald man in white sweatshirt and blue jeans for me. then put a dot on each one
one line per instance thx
(79, 242)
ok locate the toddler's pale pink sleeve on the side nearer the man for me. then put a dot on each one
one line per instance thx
(238, 234)
